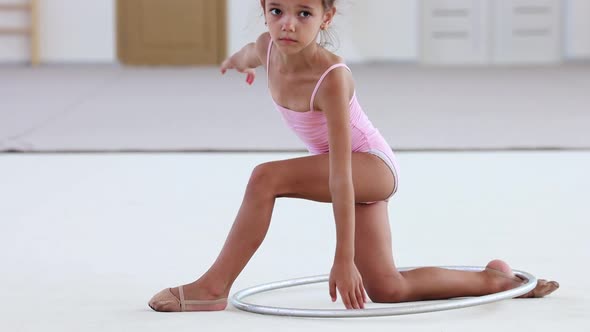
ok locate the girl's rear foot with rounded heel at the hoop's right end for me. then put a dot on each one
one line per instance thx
(508, 280)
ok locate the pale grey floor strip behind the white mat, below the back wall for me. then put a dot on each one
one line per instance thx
(112, 108)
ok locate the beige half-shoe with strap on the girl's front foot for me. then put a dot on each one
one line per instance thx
(165, 301)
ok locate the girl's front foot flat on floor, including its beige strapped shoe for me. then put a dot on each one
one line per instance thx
(189, 297)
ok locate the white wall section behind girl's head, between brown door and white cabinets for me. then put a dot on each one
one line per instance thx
(368, 30)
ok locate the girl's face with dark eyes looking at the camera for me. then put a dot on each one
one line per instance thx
(295, 24)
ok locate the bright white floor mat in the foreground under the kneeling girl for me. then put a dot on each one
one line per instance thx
(87, 239)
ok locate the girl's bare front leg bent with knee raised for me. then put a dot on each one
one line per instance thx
(306, 178)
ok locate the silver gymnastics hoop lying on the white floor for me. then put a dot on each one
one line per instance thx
(237, 299)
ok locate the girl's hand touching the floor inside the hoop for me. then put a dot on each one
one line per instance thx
(346, 278)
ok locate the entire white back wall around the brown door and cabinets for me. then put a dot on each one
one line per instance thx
(368, 30)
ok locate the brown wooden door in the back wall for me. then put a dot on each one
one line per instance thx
(171, 32)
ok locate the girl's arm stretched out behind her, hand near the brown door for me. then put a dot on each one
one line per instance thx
(248, 58)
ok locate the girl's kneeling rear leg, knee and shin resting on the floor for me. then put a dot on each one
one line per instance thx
(384, 283)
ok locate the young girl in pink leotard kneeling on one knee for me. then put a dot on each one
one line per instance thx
(351, 166)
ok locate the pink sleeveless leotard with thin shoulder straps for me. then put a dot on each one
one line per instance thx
(311, 126)
